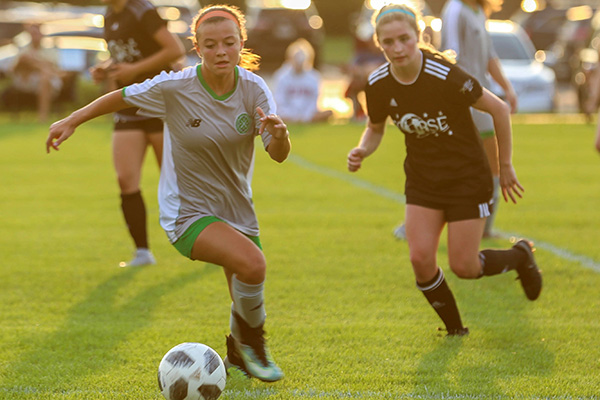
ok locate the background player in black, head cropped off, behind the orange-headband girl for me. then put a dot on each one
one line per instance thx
(140, 46)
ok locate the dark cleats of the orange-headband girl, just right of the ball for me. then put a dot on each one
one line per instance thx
(252, 355)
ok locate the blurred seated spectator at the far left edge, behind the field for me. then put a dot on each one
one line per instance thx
(35, 74)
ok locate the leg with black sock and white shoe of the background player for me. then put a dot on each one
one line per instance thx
(129, 149)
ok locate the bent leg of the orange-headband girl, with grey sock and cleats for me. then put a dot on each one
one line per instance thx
(245, 269)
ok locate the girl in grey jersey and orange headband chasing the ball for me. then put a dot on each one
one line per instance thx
(212, 114)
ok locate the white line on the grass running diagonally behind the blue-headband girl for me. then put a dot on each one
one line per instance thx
(389, 194)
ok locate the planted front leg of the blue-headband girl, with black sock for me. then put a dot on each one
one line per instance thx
(423, 229)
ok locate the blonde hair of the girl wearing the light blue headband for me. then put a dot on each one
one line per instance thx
(412, 16)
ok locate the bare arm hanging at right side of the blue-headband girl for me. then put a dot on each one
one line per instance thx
(500, 112)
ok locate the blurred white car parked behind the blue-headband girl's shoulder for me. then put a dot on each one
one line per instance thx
(533, 82)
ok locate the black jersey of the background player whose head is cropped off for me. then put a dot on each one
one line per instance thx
(129, 34)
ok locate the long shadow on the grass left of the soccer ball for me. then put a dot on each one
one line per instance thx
(87, 343)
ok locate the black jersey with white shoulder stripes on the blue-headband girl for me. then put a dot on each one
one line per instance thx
(445, 160)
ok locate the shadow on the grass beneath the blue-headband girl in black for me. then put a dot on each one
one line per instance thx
(507, 348)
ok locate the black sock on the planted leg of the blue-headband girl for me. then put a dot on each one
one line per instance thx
(442, 300)
